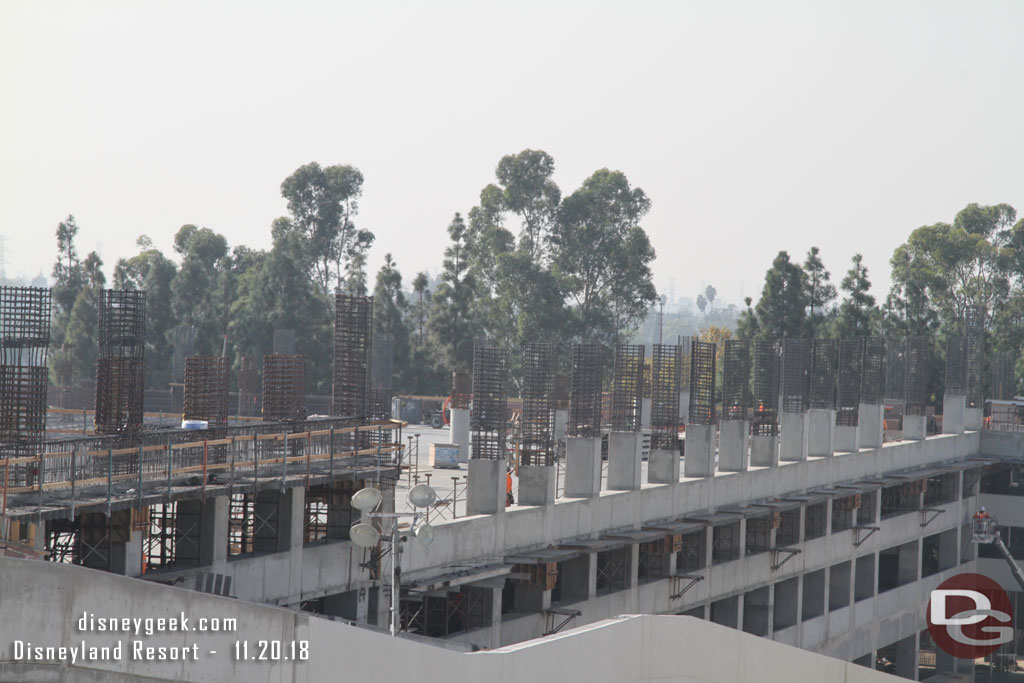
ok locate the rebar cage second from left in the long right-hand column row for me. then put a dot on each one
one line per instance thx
(538, 404)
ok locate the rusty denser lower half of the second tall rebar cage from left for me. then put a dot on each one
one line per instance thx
(119, 395)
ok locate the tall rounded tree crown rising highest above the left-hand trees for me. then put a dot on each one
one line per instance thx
(324, 203)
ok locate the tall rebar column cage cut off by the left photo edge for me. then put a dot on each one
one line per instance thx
(25, 336)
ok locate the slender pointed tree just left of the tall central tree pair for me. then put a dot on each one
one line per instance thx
(450, 318)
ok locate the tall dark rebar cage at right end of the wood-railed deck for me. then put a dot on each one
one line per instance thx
(353, 355)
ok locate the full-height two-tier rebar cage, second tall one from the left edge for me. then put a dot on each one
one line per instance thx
(120, 368)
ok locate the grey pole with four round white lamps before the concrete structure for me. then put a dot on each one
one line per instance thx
(366, 535)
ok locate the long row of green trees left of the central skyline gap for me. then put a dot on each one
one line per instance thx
(525, 265)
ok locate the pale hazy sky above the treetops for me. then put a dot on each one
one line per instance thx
(754, 127)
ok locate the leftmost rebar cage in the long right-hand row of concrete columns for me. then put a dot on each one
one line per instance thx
(490, 415)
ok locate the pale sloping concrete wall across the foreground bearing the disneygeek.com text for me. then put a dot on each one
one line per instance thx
(42, 604)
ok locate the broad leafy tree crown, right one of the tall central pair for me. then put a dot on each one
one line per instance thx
(603, 257)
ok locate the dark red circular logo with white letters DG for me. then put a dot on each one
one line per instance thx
(970, 616)
